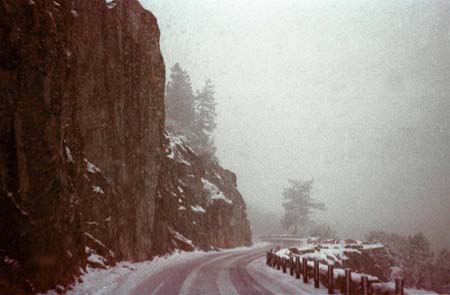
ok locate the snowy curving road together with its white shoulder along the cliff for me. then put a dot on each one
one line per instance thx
(227, 272)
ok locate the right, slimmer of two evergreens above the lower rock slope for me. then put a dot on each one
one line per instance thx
(205, 120)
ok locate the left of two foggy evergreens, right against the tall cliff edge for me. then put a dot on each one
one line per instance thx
(179, 104)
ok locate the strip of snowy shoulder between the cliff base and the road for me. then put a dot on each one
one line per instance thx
(125, 276)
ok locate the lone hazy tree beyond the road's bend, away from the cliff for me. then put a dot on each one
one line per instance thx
(298, 206)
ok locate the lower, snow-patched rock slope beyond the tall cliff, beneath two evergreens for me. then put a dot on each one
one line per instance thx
(202, 207)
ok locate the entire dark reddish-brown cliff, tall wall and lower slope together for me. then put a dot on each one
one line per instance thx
(84, 172)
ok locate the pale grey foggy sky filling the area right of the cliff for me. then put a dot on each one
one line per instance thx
(354, 94)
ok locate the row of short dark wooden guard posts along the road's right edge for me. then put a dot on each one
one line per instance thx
(319, 272)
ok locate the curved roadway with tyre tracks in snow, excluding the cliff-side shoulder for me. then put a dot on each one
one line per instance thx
(225, 273)
